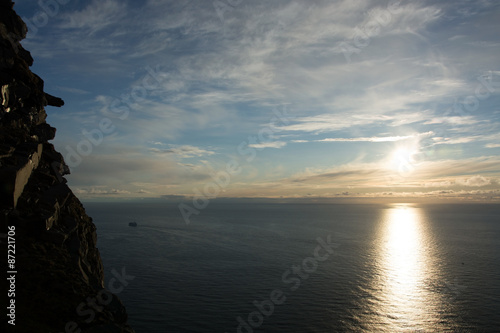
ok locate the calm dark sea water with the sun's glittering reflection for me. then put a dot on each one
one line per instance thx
(261, 267)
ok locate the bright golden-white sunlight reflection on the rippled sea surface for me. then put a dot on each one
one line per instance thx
(405, 266)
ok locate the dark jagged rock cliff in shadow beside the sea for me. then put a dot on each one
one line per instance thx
(59, 269)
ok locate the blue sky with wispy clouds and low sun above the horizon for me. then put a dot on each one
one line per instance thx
(354, 99)
